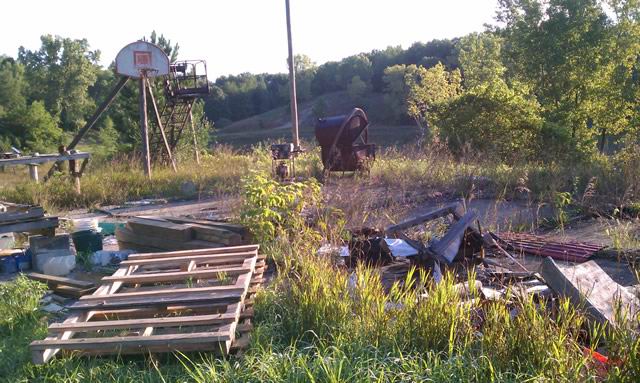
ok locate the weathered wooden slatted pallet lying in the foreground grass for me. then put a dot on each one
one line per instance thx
(195, 300)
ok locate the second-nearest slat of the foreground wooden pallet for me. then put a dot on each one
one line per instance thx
(172, 321)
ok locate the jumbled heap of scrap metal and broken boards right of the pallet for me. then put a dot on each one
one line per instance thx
(508, 263)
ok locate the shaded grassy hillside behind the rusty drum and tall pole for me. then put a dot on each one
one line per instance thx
(275, 124)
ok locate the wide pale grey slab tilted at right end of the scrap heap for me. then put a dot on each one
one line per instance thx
(587, 284)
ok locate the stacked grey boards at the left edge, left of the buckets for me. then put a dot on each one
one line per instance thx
(16, 218)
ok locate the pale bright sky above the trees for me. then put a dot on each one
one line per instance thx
(236, 36)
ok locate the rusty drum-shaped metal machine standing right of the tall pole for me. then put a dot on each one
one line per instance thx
(344, 142)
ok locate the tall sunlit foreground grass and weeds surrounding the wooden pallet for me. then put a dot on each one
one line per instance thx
(318, 322)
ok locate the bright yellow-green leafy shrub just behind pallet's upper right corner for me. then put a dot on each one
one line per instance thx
(269, 206)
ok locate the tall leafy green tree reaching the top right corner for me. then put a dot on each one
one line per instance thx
(567, 52)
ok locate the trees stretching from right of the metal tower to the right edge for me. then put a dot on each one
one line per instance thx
(550, 79)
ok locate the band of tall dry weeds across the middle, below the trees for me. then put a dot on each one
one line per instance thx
(604, 182)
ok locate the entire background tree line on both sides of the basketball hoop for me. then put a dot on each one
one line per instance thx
(550, 79)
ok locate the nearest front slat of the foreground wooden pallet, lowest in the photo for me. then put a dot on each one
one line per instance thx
(166, 340)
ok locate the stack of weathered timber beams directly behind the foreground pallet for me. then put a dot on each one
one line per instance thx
(171, 234)
